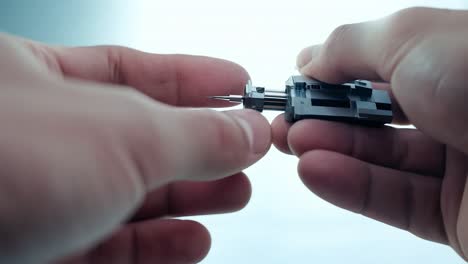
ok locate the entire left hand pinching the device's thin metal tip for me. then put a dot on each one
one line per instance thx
(92, 158)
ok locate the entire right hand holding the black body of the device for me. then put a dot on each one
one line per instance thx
(411, 179)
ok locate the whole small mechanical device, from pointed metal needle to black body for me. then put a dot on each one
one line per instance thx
(305, 98)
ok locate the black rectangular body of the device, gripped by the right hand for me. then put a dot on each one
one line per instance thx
(354, 102)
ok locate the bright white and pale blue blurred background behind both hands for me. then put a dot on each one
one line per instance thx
(284, 222)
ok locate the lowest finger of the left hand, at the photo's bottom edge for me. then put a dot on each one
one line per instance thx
(160, 240)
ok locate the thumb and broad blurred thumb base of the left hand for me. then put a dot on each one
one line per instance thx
(94, 158)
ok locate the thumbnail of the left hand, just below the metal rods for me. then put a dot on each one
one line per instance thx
(256, 127)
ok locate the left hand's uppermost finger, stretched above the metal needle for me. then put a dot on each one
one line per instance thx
(180, 80)
